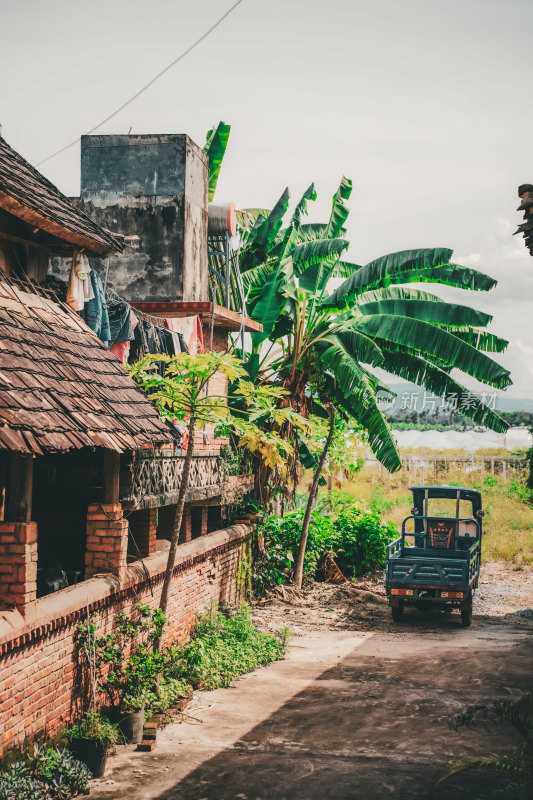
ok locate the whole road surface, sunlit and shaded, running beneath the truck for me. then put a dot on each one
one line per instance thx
(358, 709)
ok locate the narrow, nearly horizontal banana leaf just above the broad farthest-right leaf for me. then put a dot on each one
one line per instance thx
(434, 311)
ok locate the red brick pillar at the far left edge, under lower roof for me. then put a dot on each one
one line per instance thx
(18, 563)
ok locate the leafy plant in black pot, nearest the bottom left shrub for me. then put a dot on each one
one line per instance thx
(90, 738)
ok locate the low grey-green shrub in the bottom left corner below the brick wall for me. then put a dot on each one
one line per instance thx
(47, 774)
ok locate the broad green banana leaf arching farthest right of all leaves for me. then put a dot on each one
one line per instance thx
(435, 341)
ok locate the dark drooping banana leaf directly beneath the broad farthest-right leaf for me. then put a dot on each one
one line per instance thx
(418, 370)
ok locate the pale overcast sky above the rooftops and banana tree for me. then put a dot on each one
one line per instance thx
(424, 104)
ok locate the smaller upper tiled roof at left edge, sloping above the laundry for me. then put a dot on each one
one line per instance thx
(27, 194)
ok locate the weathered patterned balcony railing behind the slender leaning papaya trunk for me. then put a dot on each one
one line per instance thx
(152, 478)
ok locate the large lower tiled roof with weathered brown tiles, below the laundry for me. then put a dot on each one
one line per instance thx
(60, 387)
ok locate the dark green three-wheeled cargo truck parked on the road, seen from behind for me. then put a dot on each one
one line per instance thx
(436, 560)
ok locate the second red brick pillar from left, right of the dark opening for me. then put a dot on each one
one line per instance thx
(107, 540)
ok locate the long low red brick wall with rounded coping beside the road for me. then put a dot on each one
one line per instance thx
(39, 677)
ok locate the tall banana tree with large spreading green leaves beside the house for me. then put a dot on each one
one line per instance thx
(323, 344)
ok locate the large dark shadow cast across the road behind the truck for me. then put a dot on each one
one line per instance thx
(375, 726)
